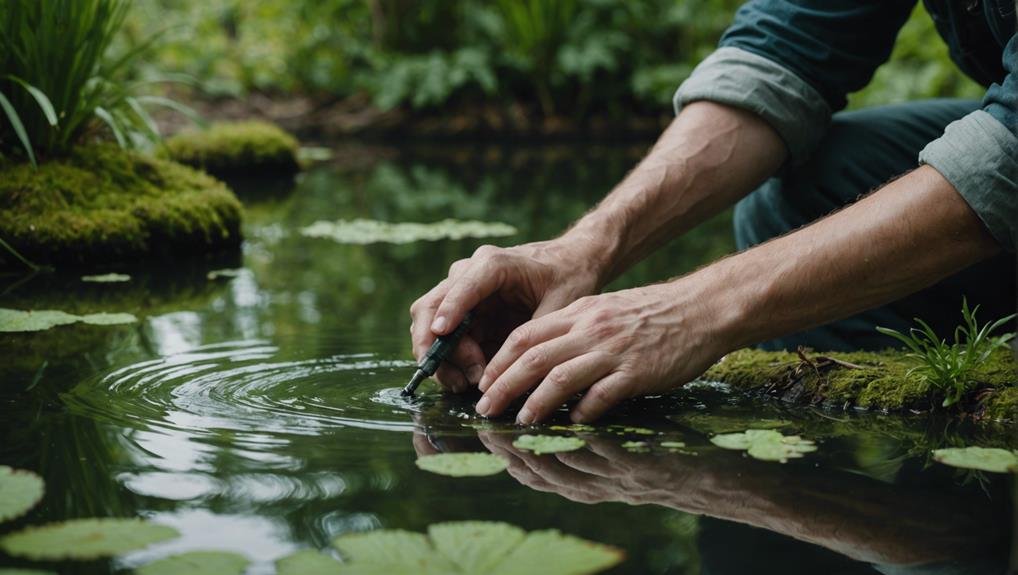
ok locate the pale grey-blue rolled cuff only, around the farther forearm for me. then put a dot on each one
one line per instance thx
(744, 80)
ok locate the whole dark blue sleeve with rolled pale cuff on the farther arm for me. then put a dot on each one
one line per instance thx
(795, 63)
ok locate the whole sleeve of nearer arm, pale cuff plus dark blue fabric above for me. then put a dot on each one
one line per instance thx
(979, 155)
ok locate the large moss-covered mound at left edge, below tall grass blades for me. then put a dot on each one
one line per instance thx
(103, 205)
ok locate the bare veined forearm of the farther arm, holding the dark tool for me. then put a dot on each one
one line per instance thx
(709, 158)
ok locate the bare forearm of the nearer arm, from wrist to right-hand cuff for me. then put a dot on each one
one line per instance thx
(898, 241)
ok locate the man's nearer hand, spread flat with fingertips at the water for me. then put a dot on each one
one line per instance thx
(610, 348)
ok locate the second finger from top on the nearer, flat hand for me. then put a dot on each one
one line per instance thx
(528, 372)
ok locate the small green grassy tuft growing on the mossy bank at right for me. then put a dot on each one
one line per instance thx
(948, 367)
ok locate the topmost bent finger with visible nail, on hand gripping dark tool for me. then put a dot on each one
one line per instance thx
(477, 282)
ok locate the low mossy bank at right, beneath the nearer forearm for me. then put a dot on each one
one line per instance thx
(881, 381)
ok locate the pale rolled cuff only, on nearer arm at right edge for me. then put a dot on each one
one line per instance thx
(980, 157)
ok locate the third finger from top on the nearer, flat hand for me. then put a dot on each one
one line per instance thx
(563, 382)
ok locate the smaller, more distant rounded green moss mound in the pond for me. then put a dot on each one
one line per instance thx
(236, 149)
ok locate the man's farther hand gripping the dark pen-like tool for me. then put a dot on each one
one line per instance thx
(505, 287)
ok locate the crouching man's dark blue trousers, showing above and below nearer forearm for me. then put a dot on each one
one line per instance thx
(863, 151)
